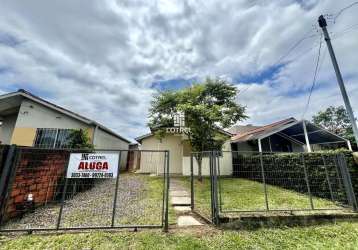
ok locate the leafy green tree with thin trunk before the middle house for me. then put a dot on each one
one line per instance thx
(208, 107)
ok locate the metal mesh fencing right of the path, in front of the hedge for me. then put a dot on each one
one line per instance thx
(250, 182)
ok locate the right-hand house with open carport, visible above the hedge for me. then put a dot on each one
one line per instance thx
(289, 135)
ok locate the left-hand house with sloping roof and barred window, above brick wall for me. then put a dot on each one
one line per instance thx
(28, 120)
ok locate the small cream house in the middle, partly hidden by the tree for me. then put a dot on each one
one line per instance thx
(179, 150)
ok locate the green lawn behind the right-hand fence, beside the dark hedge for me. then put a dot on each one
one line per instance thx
(243, 194)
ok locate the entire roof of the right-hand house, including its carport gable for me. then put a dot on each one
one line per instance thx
(293, 129)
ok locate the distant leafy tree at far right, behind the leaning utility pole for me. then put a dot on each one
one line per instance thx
(335, 120)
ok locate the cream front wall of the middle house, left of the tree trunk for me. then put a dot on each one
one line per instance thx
(153, 162)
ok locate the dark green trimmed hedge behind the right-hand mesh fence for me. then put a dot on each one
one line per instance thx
(288, 171)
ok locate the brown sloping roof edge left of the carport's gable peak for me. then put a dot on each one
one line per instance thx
(256, 132)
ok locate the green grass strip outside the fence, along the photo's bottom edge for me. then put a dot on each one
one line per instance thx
(339, 236)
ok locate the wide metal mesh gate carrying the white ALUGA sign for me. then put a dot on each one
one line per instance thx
(39, 196)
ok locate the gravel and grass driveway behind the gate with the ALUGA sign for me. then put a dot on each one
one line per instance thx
(139, 202)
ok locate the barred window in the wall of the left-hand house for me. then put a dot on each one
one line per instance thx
(51, 138)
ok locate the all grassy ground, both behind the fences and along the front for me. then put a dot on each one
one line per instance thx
(140, 199)
